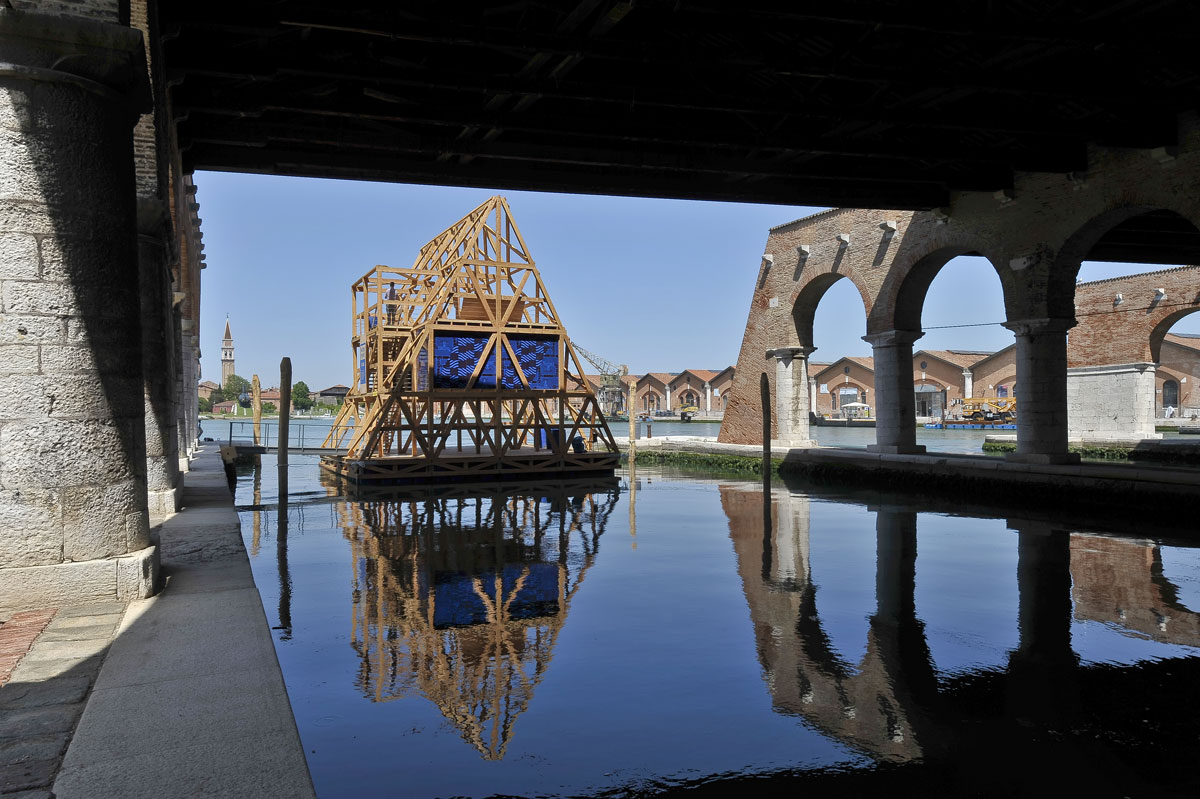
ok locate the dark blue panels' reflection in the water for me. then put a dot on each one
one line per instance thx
(457, 604)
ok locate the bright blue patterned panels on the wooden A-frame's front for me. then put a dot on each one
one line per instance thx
(455, 359)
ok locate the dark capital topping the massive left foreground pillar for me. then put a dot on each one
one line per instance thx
(100, 58)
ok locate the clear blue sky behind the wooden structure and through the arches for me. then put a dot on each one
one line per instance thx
(658, 285)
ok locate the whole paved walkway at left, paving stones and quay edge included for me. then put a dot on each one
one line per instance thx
(175, 696)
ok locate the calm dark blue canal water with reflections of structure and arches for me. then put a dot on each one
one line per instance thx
(674, 630)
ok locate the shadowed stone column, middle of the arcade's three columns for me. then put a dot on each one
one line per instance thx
(896, 410)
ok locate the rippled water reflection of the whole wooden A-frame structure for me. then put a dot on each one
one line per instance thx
(461, 598)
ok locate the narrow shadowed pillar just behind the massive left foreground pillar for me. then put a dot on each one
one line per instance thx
(158, 361)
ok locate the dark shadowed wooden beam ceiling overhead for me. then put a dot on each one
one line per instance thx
(872, 104)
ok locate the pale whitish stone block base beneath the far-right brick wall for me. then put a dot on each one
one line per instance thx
(1112, 404)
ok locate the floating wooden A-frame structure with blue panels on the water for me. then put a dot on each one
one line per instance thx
(463, 369)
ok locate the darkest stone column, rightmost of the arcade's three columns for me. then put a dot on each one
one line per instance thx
(1042, 392)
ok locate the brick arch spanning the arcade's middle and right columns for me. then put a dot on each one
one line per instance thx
(902, 298)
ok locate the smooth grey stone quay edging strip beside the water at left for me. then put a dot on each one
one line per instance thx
(191, 700)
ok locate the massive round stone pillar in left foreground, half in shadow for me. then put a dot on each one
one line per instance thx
(74, 521)
